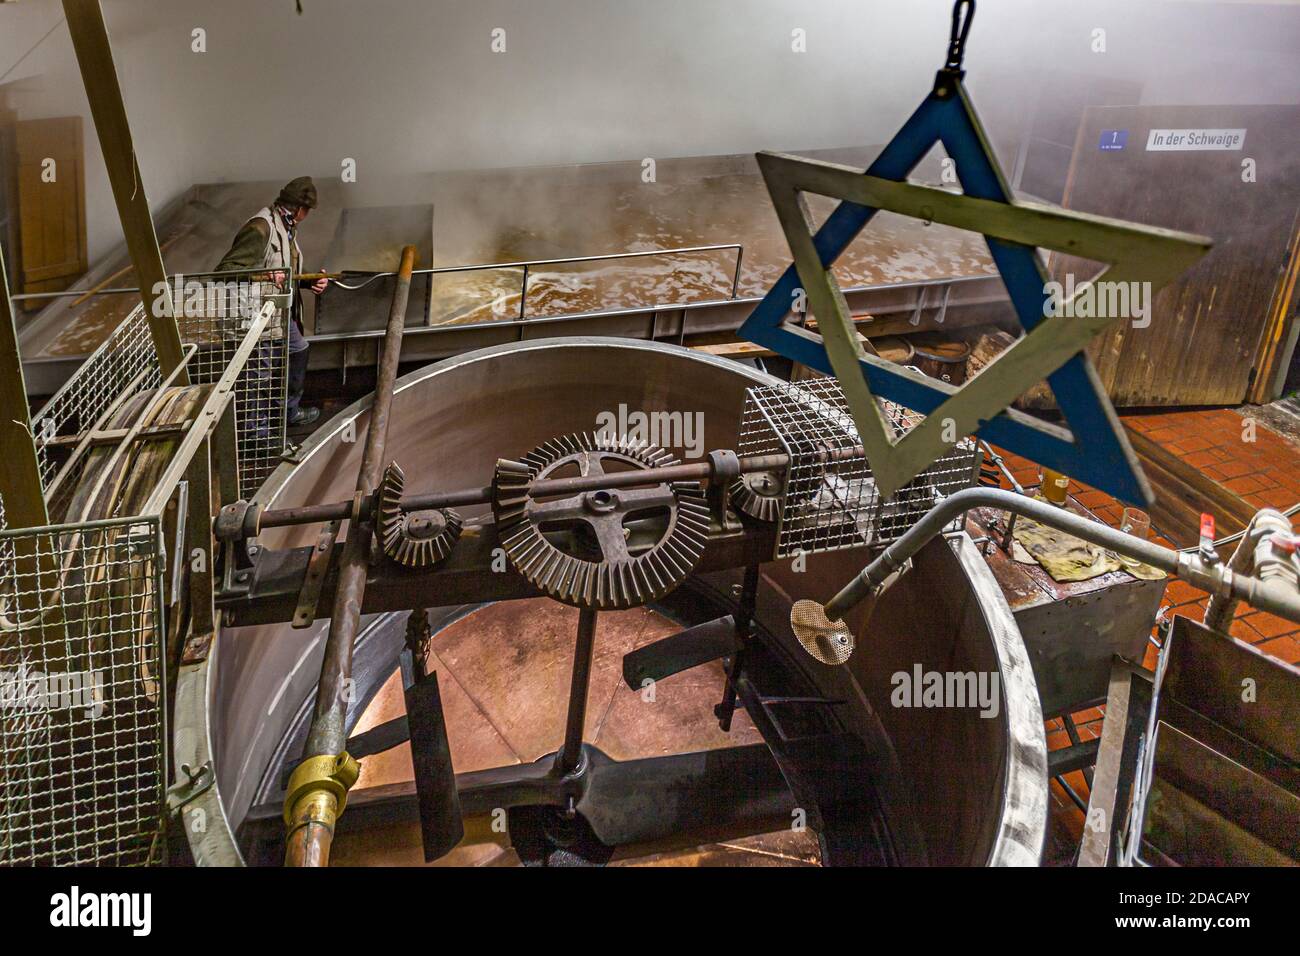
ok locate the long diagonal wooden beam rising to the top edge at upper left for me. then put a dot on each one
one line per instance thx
(105, 92)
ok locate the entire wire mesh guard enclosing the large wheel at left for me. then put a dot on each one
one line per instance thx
(93, 608)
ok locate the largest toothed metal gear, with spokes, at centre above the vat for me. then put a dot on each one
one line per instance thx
(609, 577)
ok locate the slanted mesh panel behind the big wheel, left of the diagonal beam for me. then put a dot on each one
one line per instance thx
(124, 365)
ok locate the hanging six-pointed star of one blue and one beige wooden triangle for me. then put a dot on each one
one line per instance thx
(1095, 449)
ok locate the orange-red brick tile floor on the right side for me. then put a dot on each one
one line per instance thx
(1246, 457)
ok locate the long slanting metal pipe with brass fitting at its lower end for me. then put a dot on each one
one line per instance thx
(317, 804)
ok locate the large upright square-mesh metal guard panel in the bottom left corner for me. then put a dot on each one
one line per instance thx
(83, 736)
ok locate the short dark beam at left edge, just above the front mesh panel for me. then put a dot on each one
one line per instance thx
(21, 488)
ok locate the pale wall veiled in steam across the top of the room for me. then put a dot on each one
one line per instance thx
(410, 86)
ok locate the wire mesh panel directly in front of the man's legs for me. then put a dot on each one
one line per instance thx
(215, 315)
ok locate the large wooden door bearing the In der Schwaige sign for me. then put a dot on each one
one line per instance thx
(1214, 334)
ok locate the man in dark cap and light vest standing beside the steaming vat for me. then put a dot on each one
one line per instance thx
(268, 241)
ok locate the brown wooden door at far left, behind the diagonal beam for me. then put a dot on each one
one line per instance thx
(51, 204)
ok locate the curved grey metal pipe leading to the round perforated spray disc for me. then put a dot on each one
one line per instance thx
(1273, 596)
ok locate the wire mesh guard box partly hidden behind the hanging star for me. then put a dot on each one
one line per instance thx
(830, 500)
